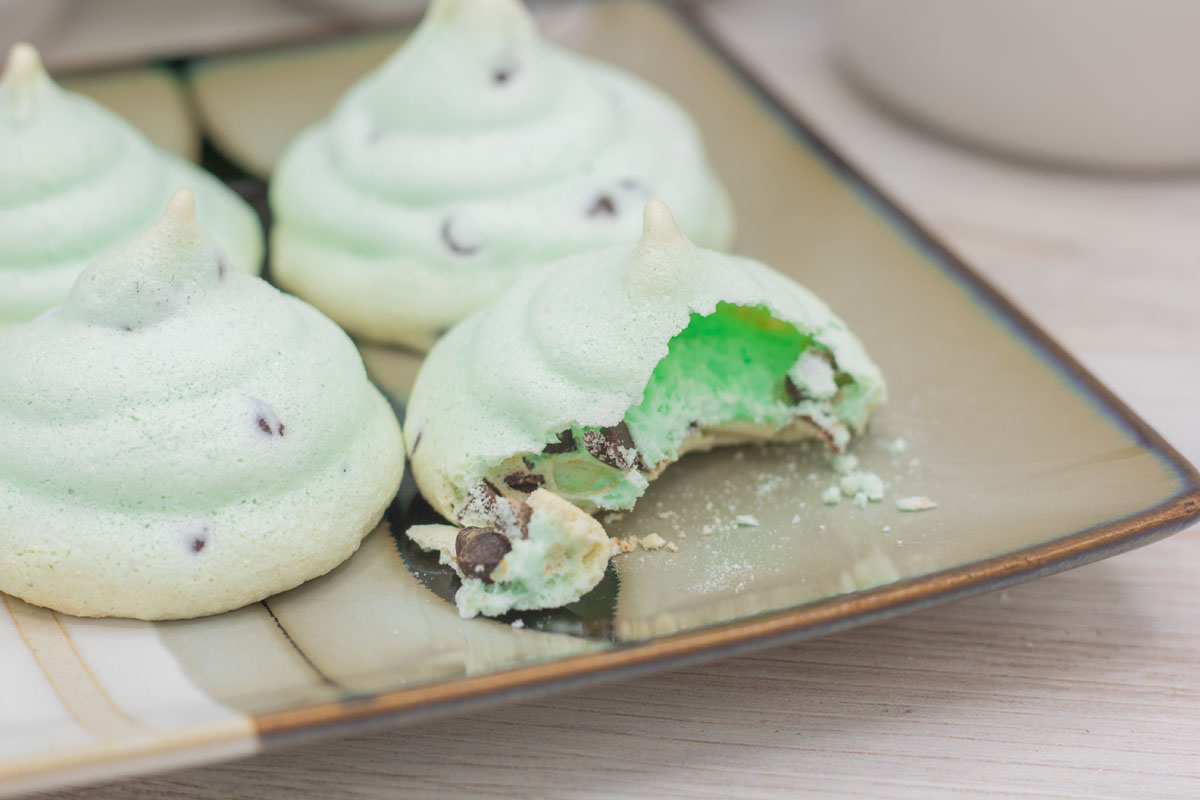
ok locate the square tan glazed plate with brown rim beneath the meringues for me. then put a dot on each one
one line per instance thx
(1036, 468)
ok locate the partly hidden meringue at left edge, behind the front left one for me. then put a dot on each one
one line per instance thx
(76, 181)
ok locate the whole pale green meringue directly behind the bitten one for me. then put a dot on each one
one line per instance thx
(476, 154)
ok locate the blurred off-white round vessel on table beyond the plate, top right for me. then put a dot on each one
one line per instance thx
(1112, 85)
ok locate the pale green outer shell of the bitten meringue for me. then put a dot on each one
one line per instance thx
(575, 346)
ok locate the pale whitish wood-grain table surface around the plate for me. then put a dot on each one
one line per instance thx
(1082, 685)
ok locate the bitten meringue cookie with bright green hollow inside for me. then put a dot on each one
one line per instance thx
(590, 377)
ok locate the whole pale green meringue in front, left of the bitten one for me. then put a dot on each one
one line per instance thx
(179, 440)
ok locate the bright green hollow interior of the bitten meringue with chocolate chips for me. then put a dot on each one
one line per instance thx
(725, 381)
